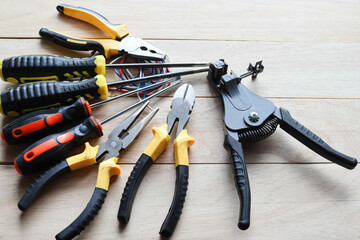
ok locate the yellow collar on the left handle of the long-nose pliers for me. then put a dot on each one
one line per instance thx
(84, 159)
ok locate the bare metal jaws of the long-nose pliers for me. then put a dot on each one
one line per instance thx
(121, 137)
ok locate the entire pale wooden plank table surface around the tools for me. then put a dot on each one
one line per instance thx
(311, 53)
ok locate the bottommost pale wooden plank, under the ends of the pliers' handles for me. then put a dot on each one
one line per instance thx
(288, 202)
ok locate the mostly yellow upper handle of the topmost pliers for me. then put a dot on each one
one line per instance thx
(114, 31)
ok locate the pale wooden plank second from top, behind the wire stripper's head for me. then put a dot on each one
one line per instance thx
(293, 70)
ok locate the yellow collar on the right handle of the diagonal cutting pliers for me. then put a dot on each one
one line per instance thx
(181, 144)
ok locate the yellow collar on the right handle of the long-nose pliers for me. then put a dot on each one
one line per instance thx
(107, 169)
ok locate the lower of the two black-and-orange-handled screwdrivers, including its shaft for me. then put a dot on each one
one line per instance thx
(53, 148)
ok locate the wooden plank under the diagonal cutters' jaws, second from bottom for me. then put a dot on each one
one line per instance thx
(332, 120)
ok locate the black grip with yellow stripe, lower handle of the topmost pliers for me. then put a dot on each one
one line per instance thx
(70, 42)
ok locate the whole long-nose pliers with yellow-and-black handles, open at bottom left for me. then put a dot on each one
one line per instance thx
(119, 139)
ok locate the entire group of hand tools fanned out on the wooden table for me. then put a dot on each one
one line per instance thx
(54, 99)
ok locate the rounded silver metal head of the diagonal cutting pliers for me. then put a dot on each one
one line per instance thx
(181, 107)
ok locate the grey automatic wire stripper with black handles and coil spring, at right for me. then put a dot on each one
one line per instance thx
(249, 117)
